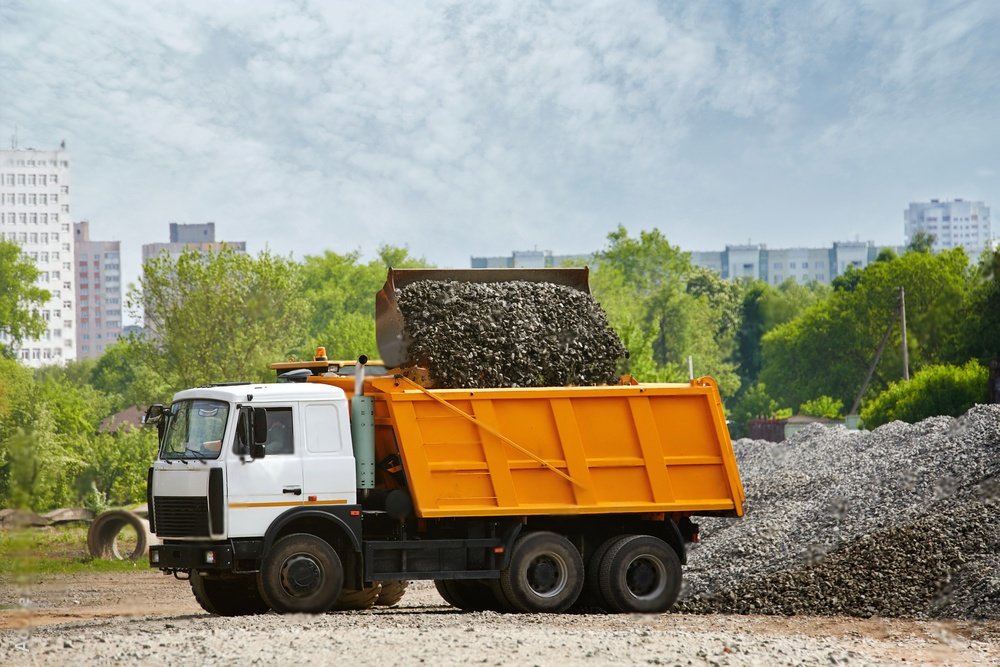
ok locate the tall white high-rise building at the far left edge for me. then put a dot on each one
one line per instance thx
(35, 214)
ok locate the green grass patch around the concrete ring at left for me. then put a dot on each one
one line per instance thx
(54, 550)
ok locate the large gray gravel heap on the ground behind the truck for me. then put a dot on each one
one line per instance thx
(900, 521)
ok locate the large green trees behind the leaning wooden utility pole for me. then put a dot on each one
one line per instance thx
(827, 349)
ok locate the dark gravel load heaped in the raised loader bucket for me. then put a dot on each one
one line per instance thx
(508, 334)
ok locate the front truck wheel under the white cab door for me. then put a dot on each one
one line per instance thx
(301, 574)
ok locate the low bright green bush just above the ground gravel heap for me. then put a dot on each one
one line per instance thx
(935, 390)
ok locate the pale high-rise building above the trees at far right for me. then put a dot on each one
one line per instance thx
(954, 224)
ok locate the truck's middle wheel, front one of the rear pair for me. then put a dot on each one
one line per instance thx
(545, 573)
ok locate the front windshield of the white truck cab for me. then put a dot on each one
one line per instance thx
(194, 430)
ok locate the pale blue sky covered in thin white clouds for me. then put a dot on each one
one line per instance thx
(475, 128)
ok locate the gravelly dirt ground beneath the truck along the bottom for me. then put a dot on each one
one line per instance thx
(145, 617)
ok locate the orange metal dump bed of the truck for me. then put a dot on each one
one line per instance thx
(562, 450)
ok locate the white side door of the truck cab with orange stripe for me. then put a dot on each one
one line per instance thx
(261, 489)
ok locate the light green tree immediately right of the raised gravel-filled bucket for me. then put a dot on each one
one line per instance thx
(665, 309)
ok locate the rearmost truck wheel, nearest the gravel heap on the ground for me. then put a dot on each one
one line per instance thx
(640, 574)
